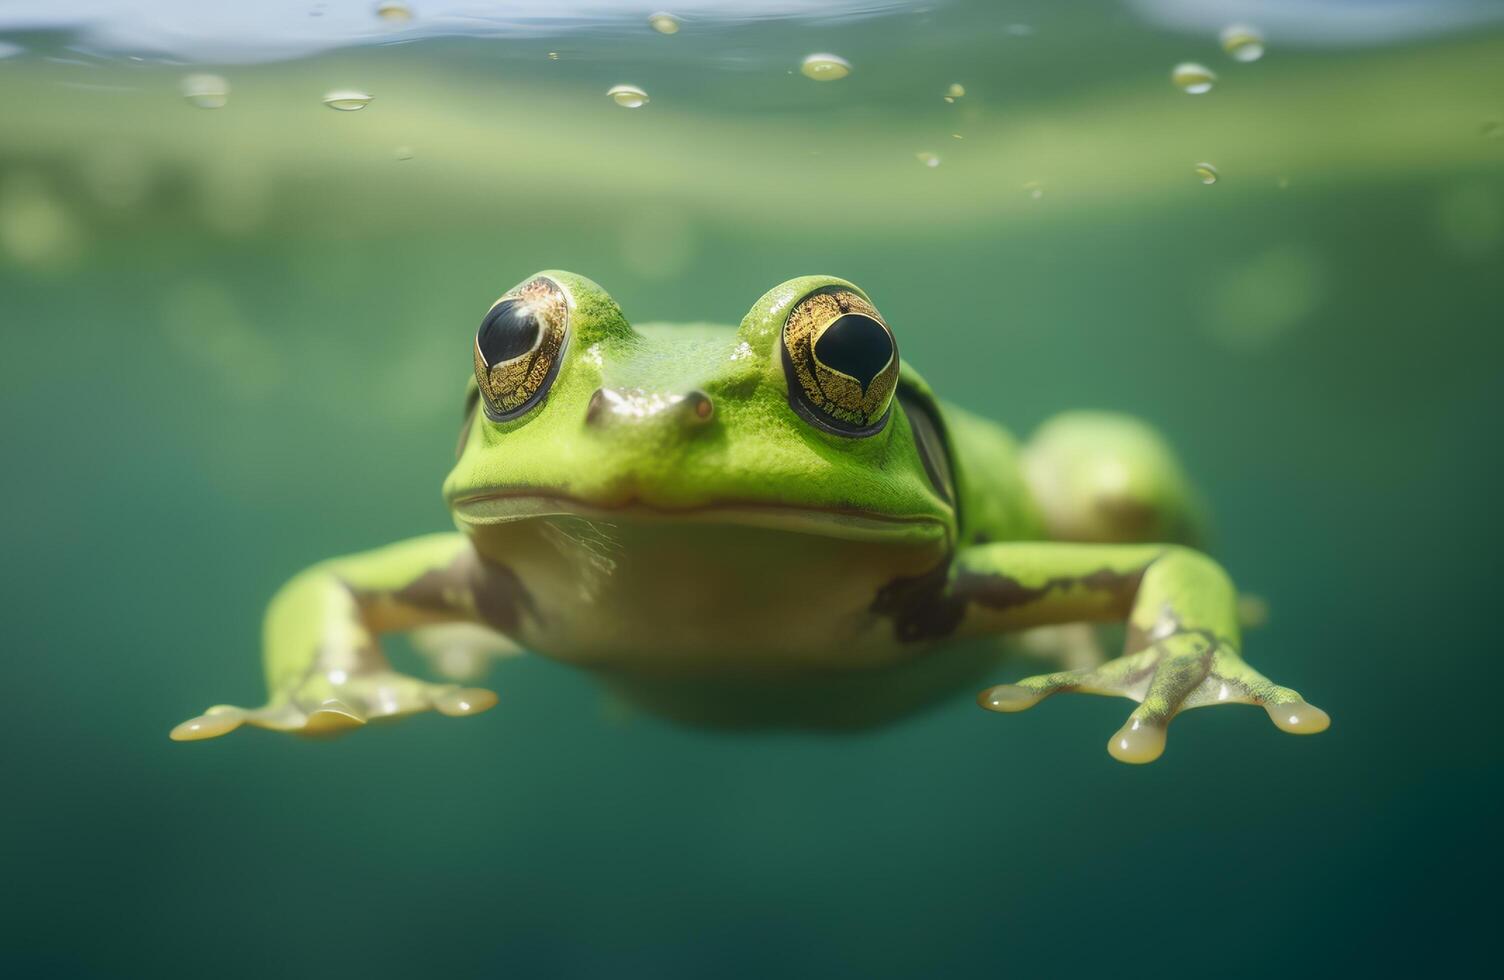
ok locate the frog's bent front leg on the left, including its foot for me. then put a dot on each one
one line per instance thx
(326, 671)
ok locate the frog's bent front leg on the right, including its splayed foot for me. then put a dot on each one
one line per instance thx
(1183, 649)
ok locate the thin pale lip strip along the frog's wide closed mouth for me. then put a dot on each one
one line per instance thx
(502, 507)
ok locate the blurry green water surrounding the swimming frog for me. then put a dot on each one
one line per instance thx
(235, 342)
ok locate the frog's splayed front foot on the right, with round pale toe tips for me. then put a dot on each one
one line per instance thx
(1183, 671)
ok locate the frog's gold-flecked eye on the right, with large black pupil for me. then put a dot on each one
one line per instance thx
(841, 363)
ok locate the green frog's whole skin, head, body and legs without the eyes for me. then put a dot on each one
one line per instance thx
(739, 564)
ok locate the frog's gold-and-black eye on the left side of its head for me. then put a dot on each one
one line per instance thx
(520, 346)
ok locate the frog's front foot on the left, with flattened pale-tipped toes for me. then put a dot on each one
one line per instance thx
(339, 700)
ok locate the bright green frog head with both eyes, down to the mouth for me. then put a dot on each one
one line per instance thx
(801, 420)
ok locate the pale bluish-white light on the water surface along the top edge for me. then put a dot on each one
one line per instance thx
(190, 31)
